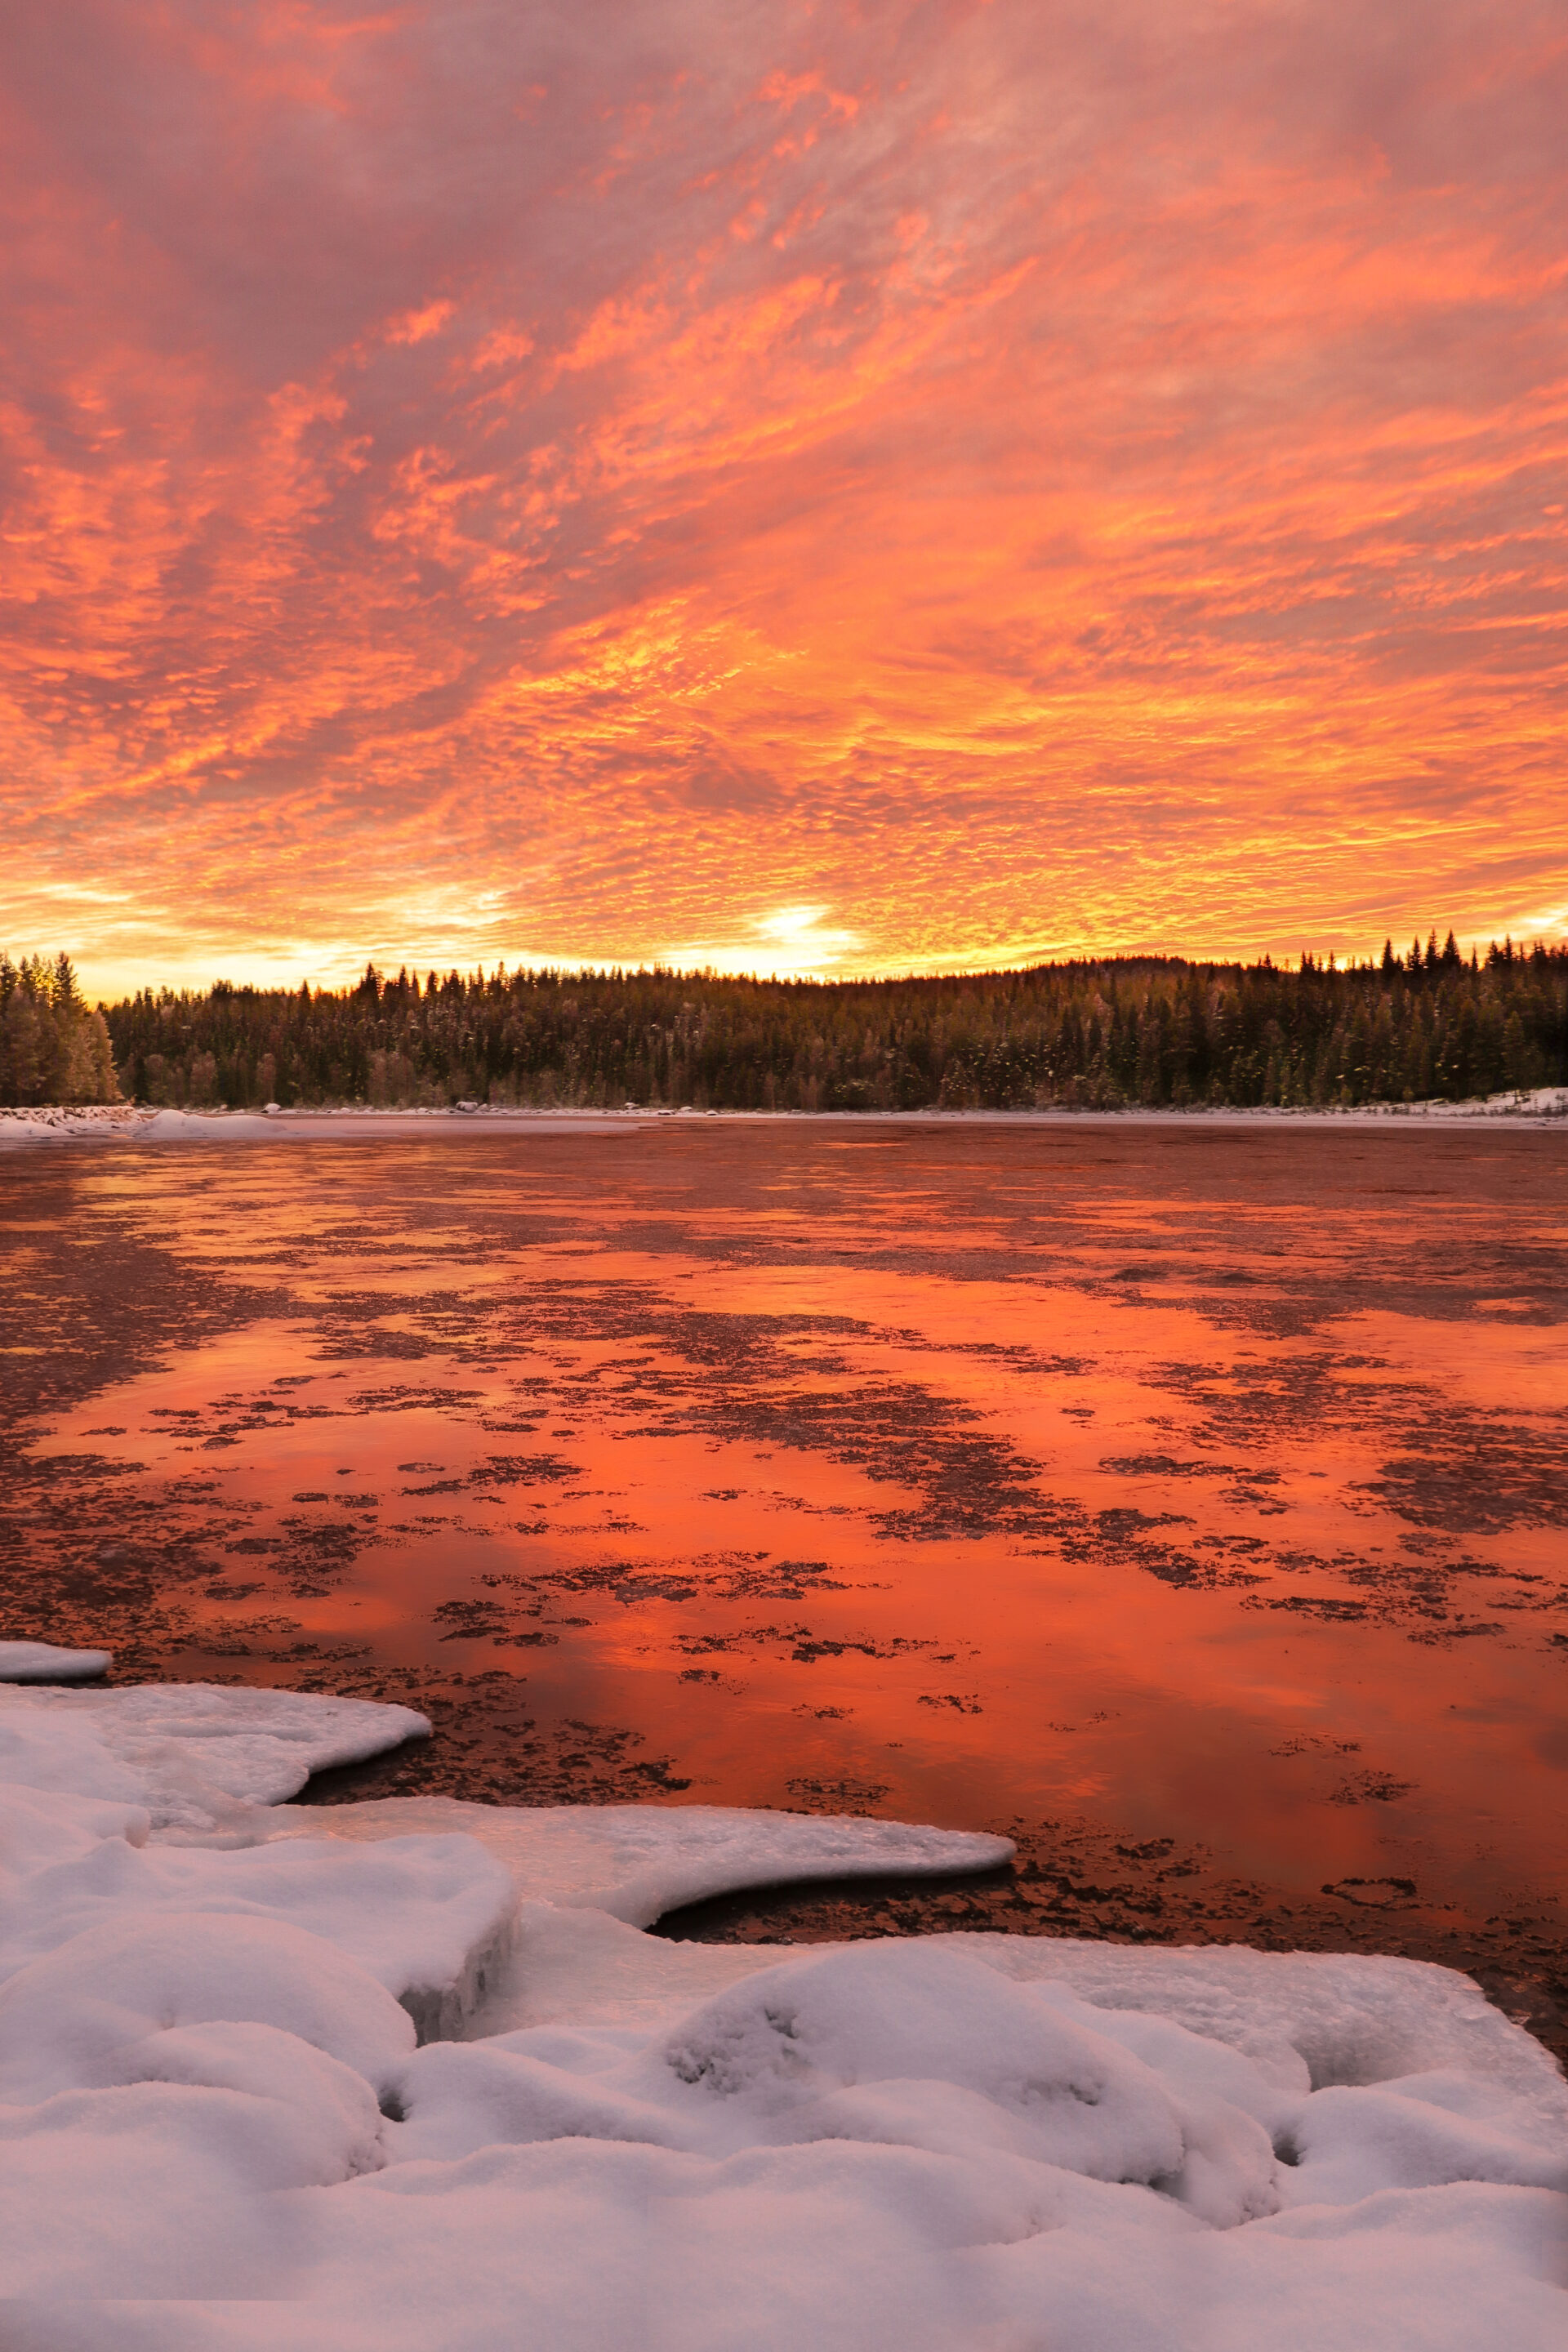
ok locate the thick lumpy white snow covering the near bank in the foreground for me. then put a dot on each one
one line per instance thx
(417, 2071)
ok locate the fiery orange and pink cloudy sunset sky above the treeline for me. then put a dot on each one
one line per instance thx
(793, 488)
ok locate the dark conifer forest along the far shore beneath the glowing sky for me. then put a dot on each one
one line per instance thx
(1094, 1036)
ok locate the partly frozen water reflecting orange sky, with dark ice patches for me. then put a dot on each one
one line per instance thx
(1181, 1499)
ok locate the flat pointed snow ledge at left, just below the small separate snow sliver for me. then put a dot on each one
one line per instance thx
(192, 1753)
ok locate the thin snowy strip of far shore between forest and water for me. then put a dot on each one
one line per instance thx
(121, 1123)
